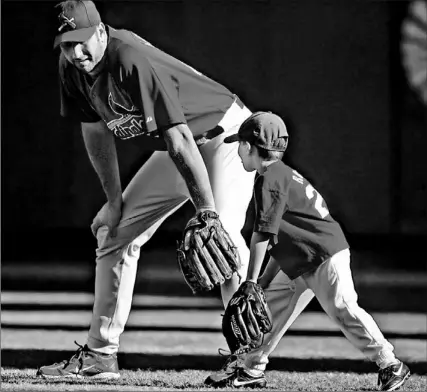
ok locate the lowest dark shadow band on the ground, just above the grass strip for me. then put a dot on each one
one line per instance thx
(22, 359)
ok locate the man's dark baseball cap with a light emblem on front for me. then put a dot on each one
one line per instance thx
(77, 21)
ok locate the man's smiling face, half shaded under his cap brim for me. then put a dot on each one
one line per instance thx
(85, 55)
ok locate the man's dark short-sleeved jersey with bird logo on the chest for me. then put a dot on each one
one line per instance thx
(141, 90)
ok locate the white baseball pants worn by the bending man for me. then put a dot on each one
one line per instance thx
(157, 191)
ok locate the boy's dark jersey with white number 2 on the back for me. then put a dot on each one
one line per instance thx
(290, 208)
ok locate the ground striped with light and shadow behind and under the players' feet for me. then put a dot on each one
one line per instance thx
(171, 343)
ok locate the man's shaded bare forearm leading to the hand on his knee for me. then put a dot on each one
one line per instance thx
(101, 148)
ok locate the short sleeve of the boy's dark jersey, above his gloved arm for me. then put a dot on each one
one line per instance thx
(270, 207)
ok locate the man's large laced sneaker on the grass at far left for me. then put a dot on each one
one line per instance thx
(84, 363)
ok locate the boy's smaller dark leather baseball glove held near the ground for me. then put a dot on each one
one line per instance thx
(247, 318)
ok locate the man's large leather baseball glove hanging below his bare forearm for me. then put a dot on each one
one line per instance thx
(206, 255)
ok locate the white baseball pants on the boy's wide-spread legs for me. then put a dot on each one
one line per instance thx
(332, 284)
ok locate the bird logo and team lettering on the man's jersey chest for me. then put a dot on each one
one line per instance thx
(128, 123)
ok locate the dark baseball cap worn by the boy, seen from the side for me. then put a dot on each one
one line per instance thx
(262, 129)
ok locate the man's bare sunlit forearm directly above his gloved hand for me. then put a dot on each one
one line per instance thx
(186, 155)
